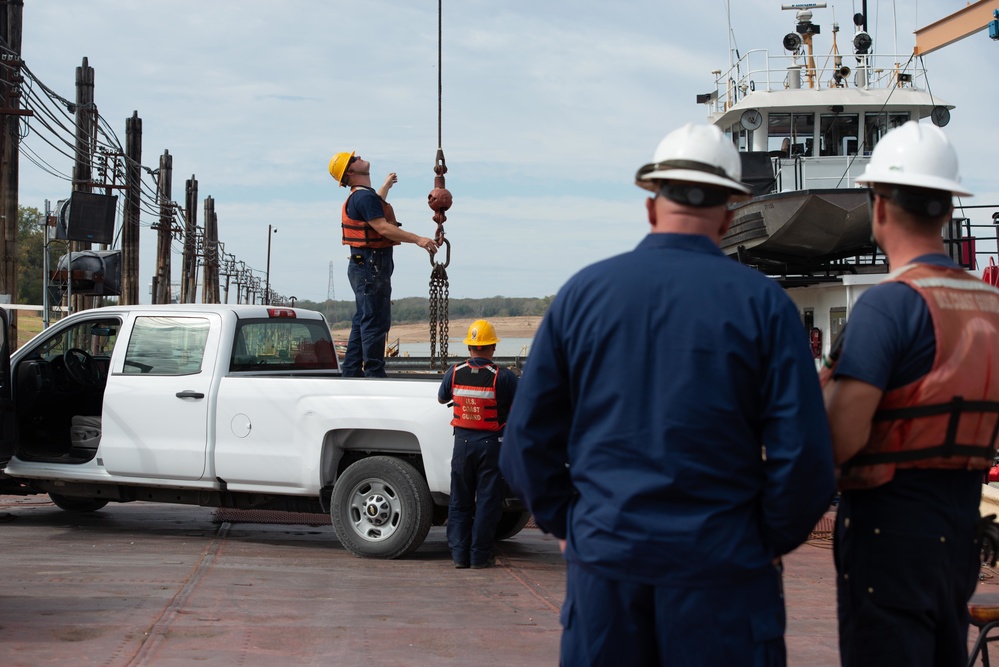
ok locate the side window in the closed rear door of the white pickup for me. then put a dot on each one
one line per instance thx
(166, 345)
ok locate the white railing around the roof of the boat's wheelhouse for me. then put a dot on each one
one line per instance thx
(758, 70)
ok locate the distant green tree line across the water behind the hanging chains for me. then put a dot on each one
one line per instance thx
(417, 309)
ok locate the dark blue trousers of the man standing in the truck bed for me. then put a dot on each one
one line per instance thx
(370, 273)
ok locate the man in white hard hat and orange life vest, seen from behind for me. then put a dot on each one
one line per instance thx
(912, 393)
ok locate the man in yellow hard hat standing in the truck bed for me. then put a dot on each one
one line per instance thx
(370, 229)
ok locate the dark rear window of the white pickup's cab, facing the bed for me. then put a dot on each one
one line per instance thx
(282, 345)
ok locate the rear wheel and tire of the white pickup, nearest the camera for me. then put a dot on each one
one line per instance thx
(381, 508)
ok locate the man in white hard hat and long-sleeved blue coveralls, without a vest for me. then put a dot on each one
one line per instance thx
(669, 430)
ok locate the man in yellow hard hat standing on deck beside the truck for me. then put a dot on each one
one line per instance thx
(481, 393)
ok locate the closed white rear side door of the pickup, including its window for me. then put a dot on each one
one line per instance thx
(159, 396)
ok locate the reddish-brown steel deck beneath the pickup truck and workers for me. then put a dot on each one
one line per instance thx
(146, 584)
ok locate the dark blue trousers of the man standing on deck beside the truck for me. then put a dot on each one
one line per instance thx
(476, 498)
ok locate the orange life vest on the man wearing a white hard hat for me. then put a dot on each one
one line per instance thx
(949, 418)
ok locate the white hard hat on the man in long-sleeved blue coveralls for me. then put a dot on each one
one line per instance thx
(694, 154)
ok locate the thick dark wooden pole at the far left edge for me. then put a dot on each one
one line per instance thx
(10, 63)
